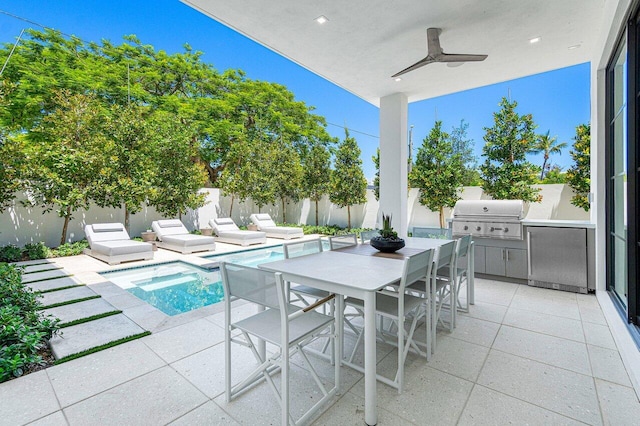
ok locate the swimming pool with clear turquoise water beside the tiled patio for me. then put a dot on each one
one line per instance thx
(179, 287)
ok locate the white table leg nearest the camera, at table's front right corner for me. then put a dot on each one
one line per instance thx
(370, 389)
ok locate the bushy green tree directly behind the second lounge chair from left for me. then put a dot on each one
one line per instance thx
(178, 176)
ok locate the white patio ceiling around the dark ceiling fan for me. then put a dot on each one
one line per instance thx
(366, 41)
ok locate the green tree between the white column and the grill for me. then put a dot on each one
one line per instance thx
(438, 172)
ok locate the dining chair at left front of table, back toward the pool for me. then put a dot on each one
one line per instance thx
(289, 328)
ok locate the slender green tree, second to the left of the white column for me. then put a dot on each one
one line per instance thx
(316, 177)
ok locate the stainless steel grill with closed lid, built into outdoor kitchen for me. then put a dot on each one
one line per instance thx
(499, 219)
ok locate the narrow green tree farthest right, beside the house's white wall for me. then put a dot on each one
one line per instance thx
(579, 175)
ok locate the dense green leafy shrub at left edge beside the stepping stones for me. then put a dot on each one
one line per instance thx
(25, 330)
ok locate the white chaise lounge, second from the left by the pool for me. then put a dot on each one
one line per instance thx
(174, 236)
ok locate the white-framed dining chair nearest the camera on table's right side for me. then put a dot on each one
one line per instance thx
(400, 307)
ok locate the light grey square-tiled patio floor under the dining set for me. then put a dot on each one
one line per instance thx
(521, 355)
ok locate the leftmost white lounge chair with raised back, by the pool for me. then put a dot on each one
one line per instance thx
(110, 243)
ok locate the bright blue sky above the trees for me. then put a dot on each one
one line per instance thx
(558, 100)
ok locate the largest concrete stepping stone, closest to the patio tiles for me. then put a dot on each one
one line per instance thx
(88, 335)
